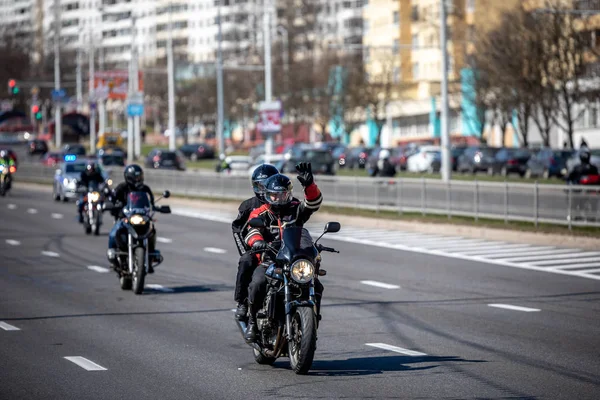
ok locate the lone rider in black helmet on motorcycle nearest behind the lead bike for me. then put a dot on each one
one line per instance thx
(134, 182)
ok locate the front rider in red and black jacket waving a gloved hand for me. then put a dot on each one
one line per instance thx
(281, 206)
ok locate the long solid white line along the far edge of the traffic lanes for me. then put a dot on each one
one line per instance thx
(432, 252)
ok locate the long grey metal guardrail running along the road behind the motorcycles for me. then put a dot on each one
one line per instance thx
(534, 203)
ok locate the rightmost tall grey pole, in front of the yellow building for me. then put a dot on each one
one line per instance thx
(446, 168)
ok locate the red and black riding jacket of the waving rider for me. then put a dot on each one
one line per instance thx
(296, 212)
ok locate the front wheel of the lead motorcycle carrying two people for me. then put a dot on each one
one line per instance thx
(303, 343)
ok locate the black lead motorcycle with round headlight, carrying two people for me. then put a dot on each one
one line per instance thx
(287, 322)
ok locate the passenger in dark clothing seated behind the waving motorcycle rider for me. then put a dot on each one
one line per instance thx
(247, 263)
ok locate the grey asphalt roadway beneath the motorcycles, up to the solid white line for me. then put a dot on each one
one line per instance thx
(179, 341)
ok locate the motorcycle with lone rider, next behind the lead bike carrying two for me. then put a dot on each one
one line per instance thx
(133, 256)
